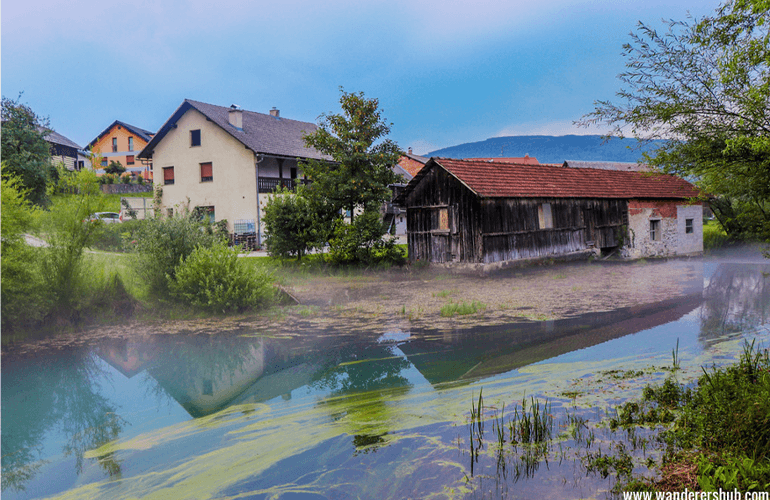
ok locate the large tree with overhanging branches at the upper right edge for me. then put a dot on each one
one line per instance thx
(704, 86)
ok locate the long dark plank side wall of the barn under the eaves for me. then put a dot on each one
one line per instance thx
(511, 228)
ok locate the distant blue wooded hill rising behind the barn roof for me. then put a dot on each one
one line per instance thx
(551, 149)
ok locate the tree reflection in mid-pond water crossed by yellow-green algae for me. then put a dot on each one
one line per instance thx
(362, 385)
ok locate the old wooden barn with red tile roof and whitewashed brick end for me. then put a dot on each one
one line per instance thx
(477, 211)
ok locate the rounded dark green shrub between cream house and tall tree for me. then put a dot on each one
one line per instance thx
(290, 224)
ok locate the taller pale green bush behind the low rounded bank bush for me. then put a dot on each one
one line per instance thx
(162, 243)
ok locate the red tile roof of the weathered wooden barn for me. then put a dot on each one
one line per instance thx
(508, 180)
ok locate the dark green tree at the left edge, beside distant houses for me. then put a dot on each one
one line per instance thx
(25, 152)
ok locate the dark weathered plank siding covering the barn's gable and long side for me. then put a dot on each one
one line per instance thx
(447, 222)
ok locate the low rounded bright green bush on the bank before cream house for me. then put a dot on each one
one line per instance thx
(214, 278)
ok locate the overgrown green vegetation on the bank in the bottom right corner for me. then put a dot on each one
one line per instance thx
(720, 430)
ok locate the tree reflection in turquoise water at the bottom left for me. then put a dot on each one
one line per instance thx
(54, 393)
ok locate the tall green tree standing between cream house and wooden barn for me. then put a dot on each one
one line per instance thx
(363, 160)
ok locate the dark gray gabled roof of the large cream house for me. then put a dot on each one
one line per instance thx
(261, 133)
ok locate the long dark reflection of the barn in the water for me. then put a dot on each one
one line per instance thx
(491, 350)
